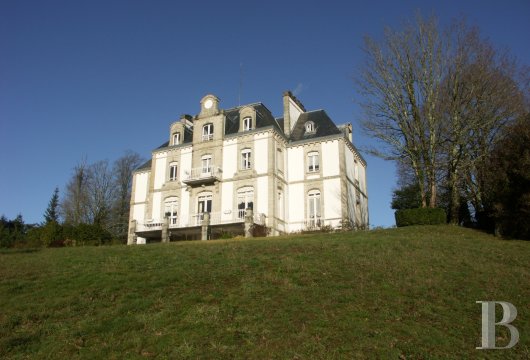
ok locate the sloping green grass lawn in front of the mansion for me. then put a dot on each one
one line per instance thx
(400, 293)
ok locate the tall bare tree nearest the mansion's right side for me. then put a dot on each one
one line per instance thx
(401, 84)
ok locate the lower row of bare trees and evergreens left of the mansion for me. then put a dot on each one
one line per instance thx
(94, 208)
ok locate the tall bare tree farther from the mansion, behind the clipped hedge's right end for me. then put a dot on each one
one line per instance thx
(479, 97)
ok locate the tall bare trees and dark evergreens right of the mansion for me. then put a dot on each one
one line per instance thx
(453, 112)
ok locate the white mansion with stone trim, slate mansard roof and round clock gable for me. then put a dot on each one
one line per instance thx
(225, 171)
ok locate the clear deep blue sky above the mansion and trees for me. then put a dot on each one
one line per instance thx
(89, 80)
